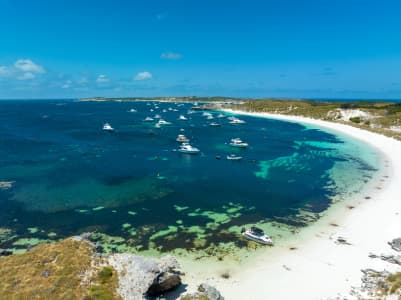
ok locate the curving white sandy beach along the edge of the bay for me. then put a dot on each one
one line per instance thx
(320, 268)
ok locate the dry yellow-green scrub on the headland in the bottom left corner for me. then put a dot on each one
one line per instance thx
(68, 269)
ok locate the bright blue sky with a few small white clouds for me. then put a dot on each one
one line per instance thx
(300, 48)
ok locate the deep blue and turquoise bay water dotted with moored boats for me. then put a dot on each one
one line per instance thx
(63, 175)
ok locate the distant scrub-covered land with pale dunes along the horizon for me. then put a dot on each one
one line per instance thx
(380, 116)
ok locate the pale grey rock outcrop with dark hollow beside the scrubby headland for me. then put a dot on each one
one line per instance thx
(140, 277)
